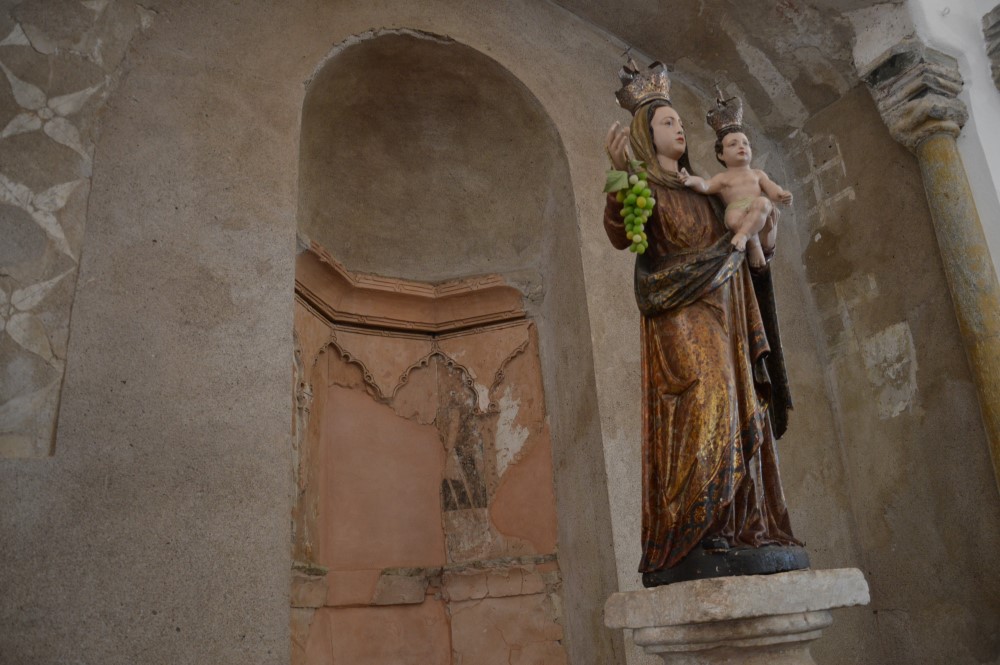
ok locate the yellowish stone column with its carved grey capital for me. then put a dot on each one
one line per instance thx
(916, 89)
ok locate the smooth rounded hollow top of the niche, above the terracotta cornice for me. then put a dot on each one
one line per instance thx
(422, 158)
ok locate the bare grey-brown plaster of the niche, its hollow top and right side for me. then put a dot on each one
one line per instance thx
(423, 160)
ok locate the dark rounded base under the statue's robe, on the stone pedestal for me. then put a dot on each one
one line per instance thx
(704, 563)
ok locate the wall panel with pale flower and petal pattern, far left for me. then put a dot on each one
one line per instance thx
(58, 70)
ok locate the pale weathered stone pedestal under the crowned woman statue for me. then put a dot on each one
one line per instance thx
(749, 620)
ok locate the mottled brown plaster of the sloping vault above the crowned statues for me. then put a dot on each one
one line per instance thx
(788, 60)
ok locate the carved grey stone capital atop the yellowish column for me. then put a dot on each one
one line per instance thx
(916, 89)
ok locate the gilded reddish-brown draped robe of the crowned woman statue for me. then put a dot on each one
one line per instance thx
(709, 464)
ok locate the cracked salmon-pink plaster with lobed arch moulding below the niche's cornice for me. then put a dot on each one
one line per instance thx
(368, 375)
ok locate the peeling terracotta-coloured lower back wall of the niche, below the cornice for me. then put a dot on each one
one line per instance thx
(414, 503)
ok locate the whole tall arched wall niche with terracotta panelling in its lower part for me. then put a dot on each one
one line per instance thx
(425, 162)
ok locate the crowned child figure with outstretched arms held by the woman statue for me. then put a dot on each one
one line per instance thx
(748, 193)
